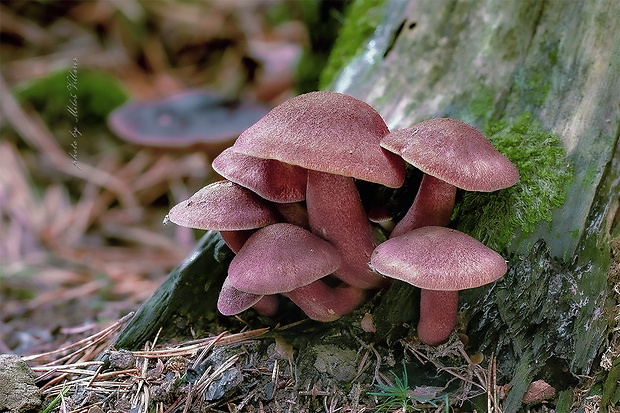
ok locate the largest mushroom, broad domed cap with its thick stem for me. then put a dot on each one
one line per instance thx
(335, 137)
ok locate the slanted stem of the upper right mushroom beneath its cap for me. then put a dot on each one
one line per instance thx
(432, 206)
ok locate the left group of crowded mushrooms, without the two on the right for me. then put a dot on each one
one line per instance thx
(290, 210)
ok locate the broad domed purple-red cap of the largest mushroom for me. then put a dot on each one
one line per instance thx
(326, 132)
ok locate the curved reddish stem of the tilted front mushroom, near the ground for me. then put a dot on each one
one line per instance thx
(323, 303)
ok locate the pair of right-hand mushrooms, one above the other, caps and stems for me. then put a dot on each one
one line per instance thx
(421, 250)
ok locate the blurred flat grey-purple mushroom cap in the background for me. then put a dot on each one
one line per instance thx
(184, 120)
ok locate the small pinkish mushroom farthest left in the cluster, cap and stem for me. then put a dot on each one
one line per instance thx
(226, 207)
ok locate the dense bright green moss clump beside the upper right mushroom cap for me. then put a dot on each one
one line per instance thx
(545, 173)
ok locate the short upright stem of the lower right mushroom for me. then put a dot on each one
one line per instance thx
(438, 311)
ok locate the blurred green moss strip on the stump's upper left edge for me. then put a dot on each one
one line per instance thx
(362, 18)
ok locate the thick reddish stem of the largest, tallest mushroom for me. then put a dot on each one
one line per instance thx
(336, 214)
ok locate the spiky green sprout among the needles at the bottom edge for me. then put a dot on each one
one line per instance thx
(401, 397)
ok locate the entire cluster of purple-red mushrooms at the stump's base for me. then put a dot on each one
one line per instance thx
(290, 210)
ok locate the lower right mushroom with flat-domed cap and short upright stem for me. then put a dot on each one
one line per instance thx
(440, 261)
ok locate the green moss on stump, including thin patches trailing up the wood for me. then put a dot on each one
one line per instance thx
(495, 218)
